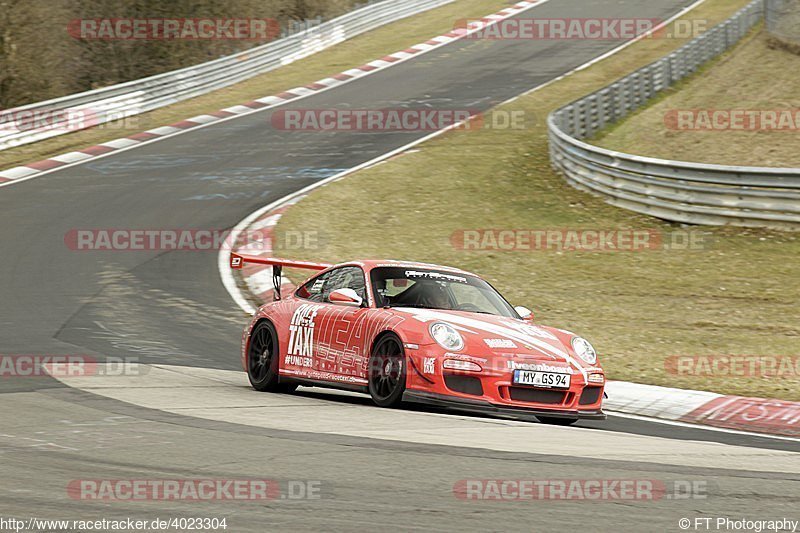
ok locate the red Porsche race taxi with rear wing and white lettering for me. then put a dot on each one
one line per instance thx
(415, 332)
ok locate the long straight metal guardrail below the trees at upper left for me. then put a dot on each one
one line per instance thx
(90, 108)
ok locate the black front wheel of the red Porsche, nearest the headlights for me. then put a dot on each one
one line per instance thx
(387, 372)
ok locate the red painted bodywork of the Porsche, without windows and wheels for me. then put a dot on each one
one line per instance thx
(343, 337)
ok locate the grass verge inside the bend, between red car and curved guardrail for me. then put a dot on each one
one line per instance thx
(736, 296)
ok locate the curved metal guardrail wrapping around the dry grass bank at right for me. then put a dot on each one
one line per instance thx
(678, 191)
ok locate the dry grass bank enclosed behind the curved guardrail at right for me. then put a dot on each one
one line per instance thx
(756, 75)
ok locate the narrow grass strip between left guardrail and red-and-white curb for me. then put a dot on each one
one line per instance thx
(349, 54)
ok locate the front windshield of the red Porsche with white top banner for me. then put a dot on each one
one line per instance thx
(436, 289)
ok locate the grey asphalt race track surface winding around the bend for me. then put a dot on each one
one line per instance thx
(170, 308)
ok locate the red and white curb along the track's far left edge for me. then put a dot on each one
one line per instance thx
(31, 170)
